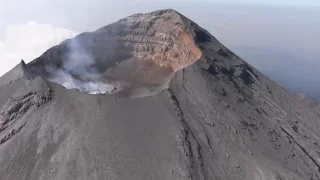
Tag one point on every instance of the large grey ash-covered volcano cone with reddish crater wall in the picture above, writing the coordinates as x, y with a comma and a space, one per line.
211, 115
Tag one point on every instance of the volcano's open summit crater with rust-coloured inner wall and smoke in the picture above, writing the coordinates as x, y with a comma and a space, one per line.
136, 56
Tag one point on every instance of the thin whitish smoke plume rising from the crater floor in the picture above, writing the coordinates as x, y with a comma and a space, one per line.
79, 71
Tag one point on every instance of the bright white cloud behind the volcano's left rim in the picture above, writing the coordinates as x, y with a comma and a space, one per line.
28, 41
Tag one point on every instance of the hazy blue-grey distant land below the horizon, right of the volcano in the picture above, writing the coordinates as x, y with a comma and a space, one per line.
295, 73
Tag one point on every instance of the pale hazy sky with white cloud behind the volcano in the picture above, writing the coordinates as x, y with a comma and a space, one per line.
291, 27
